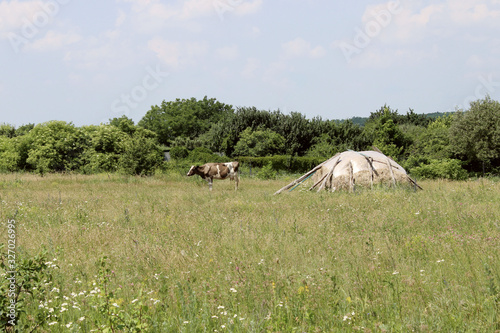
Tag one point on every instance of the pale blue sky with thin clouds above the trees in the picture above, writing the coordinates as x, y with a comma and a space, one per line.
88, 61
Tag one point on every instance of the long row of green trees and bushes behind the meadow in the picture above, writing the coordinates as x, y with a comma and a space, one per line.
451, 146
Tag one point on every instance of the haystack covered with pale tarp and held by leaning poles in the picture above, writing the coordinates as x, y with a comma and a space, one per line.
351, 168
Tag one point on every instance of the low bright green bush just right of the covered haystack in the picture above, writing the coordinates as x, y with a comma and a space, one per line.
446, 169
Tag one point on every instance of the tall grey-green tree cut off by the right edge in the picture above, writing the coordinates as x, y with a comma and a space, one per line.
475, 134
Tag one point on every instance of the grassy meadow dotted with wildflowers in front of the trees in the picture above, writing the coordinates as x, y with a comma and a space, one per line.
162, 254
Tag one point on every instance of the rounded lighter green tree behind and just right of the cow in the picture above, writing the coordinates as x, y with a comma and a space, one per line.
263, 142
